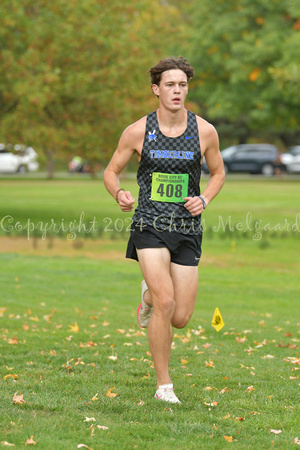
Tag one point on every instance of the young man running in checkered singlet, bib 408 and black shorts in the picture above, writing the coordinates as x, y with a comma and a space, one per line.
166, 226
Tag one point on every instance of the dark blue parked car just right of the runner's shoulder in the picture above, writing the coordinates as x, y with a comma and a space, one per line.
253, 158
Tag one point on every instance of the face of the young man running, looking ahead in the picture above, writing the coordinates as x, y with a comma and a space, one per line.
173, 89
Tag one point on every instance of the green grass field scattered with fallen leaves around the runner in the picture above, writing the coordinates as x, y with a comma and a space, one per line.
75, 367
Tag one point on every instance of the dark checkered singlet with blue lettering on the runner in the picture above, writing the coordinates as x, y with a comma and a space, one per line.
169, 155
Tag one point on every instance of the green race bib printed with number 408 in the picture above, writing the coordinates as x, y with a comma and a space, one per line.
168, 187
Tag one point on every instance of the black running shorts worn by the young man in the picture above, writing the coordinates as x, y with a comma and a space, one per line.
184, 249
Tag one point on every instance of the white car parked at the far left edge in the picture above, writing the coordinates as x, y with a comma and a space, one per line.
17, 159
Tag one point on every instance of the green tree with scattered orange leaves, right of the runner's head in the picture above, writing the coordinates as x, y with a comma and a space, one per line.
246, 55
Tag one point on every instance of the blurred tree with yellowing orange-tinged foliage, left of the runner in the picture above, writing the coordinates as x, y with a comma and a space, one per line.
74, 73
